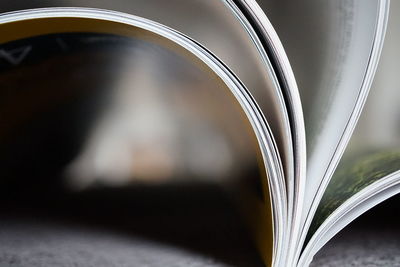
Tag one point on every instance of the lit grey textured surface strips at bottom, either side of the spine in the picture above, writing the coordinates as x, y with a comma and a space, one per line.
26, 243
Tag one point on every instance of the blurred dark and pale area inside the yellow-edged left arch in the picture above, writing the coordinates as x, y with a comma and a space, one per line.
107, 110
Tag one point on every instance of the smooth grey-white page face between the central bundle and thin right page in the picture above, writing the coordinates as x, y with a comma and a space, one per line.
328, 44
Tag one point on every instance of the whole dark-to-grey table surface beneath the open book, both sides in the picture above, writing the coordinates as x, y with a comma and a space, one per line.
168, 226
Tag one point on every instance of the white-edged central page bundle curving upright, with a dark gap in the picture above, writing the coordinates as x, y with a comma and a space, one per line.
273, 53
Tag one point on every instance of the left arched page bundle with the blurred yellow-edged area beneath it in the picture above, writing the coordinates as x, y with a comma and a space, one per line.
93, 98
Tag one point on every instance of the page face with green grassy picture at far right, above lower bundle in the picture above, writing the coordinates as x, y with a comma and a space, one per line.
374, 149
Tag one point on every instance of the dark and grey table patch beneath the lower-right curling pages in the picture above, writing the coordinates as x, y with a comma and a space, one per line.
370, 241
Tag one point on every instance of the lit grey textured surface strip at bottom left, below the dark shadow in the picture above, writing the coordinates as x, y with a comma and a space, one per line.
34, 244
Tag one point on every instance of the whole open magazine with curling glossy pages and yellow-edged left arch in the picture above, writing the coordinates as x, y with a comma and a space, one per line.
267, 98
